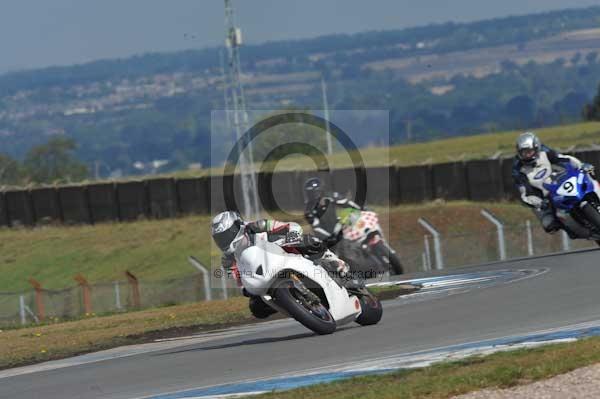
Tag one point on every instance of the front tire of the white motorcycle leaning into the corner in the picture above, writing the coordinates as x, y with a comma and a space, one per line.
321, 324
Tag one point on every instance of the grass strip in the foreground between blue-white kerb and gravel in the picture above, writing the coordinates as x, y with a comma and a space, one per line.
444, 380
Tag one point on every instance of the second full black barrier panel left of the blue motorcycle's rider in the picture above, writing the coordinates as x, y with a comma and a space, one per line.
450, 181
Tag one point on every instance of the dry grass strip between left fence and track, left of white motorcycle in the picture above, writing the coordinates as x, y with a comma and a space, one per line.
55, 341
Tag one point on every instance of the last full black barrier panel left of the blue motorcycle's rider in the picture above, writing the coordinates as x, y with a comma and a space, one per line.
484, 180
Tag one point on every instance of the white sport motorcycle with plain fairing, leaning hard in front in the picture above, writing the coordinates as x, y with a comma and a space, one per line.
293, 285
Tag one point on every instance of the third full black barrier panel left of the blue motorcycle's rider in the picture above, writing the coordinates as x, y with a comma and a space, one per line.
415, 184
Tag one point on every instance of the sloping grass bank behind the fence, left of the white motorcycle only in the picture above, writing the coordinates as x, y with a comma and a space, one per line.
151, 250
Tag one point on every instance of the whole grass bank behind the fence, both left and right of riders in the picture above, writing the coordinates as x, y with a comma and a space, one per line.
157, 250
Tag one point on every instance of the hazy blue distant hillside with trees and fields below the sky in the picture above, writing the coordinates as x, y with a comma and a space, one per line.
443, 79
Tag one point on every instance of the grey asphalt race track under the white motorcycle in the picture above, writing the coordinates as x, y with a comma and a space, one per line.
564, 291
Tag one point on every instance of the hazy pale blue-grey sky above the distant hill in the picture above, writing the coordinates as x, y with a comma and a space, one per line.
36, 33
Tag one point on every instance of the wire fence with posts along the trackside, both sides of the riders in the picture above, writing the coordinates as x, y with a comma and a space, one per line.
418, 255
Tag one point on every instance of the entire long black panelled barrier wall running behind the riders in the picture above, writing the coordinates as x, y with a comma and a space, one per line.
481, 180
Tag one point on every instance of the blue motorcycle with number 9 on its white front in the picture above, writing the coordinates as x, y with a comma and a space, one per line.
575, 195
